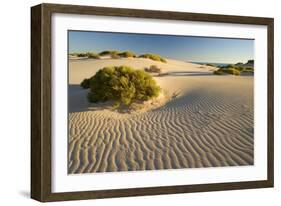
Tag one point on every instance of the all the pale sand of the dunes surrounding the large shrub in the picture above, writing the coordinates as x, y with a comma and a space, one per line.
206, 122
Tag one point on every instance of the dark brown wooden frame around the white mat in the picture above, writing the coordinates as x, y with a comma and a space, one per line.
41, 156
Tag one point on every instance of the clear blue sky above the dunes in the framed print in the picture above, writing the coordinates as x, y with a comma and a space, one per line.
186, 48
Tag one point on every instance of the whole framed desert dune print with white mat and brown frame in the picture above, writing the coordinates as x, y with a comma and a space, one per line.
130, 102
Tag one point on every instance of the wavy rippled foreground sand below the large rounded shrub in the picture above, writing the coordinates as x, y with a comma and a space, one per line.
198, 129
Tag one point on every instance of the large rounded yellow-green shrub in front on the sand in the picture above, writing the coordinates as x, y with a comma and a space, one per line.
121, 84
